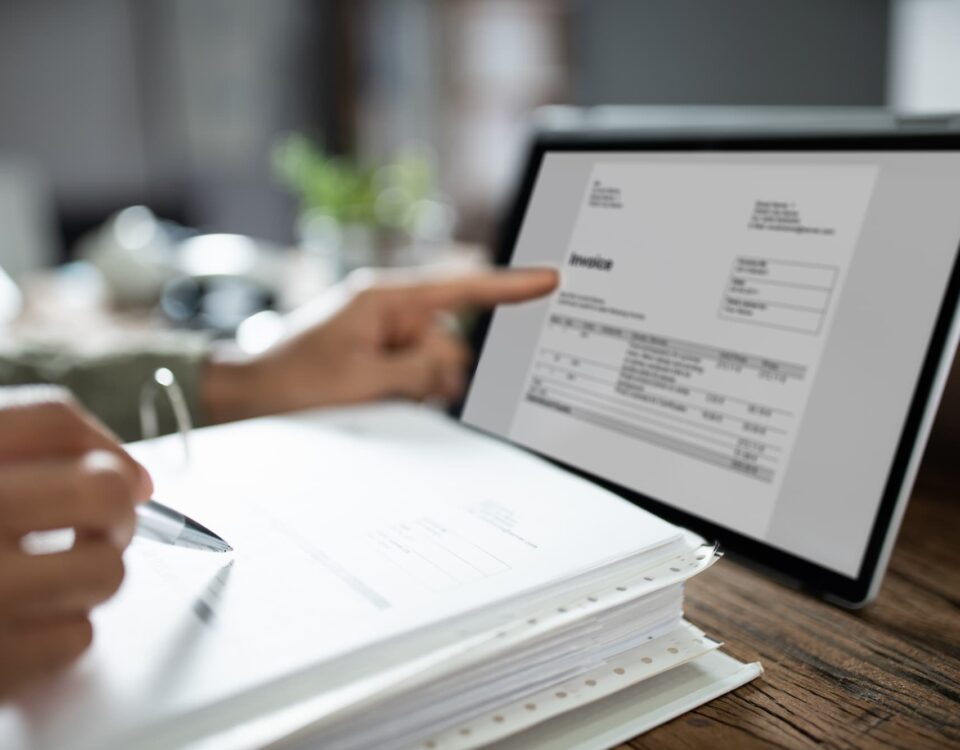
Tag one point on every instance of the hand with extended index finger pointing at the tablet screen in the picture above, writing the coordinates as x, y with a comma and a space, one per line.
383, 338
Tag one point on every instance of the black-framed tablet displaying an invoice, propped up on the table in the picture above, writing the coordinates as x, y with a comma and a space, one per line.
750, 336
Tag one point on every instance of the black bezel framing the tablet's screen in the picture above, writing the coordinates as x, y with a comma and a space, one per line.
823, 581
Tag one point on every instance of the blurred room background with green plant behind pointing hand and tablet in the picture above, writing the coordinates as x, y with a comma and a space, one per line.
209, 159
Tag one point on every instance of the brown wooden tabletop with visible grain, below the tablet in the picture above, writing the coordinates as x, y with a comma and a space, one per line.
884, 676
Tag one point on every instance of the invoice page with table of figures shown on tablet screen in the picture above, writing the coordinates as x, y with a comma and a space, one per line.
695, 304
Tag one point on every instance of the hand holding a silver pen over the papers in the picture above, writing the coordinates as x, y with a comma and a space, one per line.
59, 468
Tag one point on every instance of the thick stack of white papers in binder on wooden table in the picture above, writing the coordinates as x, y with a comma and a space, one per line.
397, 581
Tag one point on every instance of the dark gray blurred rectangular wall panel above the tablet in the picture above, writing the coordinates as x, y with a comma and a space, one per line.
803, 52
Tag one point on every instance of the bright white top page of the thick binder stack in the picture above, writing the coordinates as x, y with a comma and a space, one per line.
349, 529
